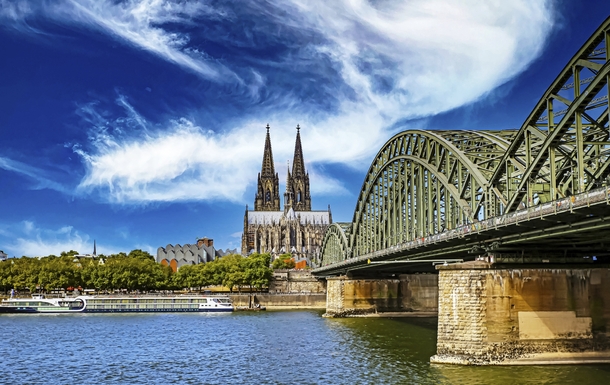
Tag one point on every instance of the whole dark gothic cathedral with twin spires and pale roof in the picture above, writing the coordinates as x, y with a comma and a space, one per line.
295, 230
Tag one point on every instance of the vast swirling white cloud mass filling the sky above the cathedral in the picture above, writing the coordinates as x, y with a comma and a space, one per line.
375, 65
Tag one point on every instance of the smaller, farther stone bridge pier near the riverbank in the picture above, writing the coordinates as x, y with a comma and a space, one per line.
407, 294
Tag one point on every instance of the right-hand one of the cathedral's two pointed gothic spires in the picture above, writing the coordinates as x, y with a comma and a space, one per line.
297, 194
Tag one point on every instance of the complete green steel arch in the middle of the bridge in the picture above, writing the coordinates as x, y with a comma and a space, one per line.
423, 183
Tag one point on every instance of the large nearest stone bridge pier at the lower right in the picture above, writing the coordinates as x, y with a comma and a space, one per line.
493, 315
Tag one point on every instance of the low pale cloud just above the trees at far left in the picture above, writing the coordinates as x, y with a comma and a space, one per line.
27, 238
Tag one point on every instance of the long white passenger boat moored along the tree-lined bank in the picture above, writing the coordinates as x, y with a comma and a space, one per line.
117, 304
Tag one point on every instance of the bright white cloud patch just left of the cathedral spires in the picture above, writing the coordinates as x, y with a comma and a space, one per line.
181, 162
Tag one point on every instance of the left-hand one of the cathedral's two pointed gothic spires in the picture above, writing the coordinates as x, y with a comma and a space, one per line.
268, 193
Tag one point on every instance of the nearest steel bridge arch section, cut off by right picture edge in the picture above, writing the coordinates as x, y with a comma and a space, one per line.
564, 146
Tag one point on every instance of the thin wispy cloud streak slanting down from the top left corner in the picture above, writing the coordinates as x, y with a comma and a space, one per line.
145, 24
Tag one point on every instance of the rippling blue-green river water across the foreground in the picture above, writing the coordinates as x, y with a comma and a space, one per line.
287, 347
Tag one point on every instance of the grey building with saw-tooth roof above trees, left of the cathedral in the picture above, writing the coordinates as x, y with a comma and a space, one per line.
201, 252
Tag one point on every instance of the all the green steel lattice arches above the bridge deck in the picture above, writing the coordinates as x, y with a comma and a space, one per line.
423, 183
